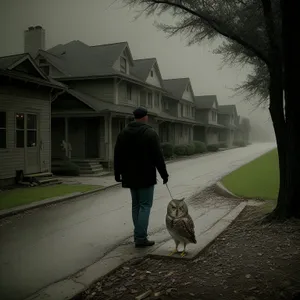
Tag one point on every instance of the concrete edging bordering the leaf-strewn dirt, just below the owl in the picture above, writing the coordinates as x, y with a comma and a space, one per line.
73, 286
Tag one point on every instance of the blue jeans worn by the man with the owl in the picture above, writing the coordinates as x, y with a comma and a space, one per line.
142, 200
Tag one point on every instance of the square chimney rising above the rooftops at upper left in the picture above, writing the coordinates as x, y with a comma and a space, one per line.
34, 39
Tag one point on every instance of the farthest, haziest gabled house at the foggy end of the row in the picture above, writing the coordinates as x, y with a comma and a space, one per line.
227, 116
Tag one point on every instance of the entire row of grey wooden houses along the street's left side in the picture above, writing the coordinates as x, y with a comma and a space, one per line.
73, 99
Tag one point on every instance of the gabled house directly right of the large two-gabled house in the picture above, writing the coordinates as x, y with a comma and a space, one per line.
177, 118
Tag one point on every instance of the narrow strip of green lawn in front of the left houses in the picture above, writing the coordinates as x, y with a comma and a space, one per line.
22, 196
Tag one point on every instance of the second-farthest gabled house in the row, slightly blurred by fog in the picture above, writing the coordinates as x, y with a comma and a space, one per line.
207, 112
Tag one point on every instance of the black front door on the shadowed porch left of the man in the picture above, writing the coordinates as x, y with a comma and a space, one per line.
91, 138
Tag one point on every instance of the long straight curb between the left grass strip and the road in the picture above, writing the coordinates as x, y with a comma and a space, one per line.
13, 211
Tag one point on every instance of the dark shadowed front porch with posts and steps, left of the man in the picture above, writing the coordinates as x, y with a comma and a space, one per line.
87, 141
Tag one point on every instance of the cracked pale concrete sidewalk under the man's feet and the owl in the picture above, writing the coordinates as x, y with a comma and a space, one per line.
211, 217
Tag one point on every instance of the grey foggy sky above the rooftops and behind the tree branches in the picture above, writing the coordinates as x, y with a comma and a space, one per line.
107, 21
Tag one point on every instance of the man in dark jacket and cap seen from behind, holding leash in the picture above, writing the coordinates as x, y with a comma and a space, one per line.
137, 156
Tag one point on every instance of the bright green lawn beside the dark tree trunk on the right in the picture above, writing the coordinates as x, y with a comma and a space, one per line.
257, 179
